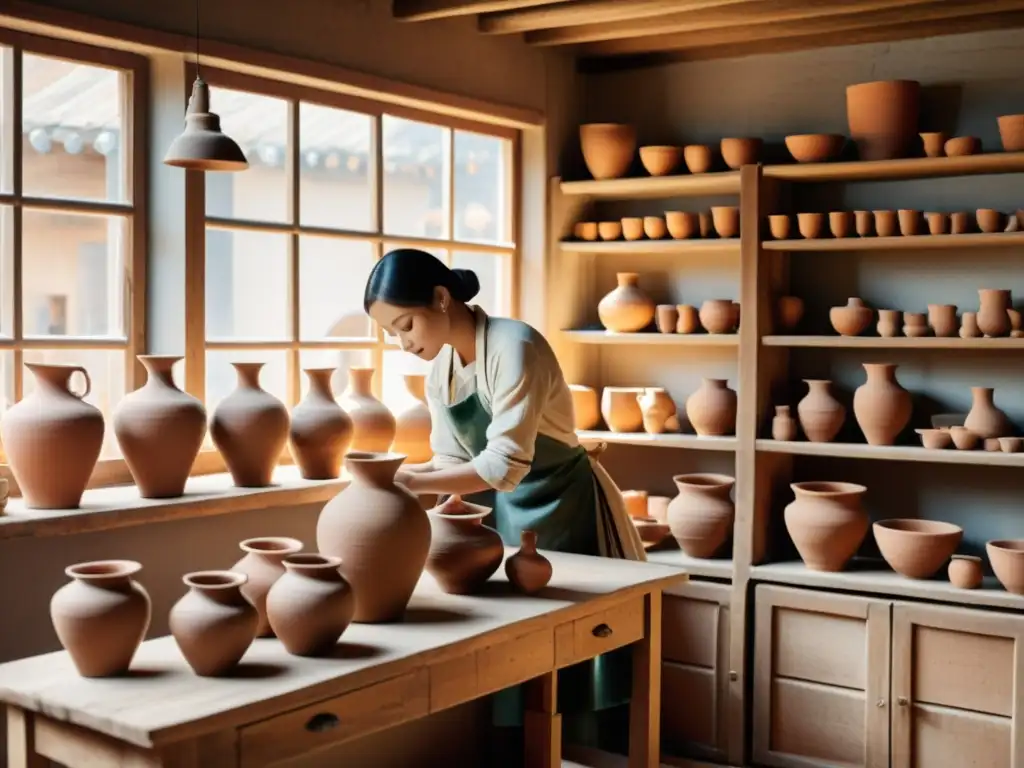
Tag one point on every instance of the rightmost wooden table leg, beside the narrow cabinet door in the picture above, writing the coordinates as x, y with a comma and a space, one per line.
646, 706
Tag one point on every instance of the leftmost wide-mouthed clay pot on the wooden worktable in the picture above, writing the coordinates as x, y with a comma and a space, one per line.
102, 616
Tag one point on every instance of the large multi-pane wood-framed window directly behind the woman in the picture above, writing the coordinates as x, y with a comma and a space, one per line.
335, 183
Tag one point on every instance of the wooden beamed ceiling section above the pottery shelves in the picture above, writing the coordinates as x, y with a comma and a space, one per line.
613, 34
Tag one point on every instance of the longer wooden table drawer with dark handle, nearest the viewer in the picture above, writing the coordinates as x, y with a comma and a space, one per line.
336, 720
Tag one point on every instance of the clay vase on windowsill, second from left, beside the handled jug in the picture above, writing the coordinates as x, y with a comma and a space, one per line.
160, 431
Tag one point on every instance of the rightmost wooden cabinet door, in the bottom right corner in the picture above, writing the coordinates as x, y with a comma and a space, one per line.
958, 686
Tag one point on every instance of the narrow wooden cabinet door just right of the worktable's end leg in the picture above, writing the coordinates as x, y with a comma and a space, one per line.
695, 670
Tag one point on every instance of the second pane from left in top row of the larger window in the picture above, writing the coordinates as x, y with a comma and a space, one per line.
336, 190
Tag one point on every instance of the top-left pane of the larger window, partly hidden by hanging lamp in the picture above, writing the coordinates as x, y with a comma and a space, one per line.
260, 124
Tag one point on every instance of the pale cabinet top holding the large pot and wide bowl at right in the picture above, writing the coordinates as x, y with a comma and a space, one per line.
875, 578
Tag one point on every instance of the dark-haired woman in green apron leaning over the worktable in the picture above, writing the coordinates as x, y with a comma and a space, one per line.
502, 422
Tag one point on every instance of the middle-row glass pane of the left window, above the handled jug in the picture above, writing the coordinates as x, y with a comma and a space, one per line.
73, 274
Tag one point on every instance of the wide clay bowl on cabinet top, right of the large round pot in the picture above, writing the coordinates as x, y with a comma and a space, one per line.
917, 549
